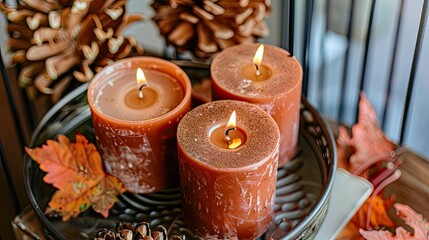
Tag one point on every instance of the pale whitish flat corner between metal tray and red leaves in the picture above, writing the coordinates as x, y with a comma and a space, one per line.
348, 194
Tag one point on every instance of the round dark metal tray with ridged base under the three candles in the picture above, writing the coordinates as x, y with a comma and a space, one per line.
308, 176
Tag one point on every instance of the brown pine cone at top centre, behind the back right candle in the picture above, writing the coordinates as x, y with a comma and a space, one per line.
207, 26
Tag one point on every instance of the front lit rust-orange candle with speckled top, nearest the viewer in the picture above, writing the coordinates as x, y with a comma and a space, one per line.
228, 185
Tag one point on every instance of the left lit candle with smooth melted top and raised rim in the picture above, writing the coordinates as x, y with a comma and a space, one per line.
136, 130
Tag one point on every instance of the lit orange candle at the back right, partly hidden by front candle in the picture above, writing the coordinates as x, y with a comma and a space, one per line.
273, 83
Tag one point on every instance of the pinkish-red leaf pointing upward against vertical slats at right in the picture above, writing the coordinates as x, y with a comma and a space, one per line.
369, 142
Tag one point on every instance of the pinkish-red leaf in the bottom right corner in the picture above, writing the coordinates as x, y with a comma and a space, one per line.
411, 218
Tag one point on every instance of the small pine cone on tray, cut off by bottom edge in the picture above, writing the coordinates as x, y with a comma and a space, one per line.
142, 231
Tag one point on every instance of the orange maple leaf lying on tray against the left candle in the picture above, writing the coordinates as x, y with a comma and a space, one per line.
76, 170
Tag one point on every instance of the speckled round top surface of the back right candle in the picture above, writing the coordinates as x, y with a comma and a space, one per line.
232, 70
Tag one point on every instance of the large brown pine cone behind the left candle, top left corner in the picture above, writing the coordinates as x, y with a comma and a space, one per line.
57, 41
